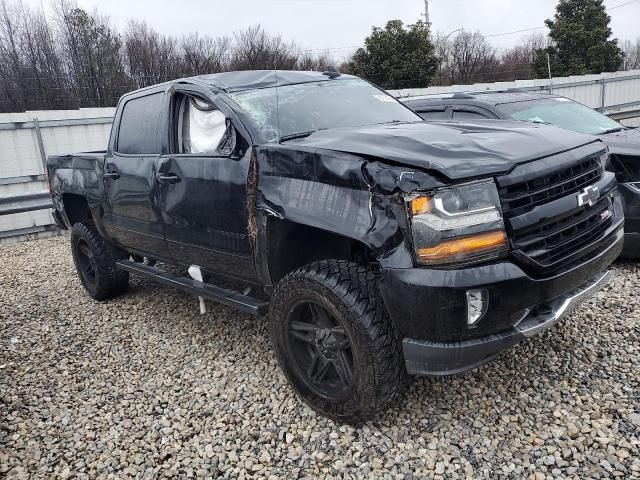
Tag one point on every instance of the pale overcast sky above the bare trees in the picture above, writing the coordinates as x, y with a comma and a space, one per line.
335, 24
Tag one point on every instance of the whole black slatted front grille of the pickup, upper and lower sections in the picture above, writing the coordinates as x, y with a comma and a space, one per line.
560, 237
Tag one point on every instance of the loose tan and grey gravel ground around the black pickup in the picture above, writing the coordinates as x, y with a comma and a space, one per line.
143, 386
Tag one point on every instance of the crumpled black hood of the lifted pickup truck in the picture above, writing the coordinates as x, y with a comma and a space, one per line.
454, 149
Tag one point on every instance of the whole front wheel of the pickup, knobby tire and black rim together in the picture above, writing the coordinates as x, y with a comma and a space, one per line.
335, 341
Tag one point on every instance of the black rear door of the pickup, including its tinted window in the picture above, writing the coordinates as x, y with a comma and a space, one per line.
133, 217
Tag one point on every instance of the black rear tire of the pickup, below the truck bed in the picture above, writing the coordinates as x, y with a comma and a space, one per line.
108, 281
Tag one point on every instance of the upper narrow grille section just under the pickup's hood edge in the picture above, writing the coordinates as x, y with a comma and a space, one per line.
523, 197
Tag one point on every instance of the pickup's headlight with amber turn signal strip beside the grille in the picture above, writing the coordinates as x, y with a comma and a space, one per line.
458, 225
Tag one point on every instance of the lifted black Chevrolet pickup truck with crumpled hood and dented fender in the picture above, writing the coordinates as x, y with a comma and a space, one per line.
379, 244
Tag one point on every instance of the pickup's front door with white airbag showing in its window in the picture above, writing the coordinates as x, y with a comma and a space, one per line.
203, 191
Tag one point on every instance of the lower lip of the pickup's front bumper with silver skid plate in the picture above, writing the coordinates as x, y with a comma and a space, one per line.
432, 358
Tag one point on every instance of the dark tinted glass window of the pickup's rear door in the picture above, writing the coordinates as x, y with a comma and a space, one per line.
138, 132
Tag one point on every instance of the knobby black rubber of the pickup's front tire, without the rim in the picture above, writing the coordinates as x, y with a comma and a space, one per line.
350, 293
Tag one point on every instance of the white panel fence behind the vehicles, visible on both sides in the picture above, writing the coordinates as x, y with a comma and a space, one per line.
26, 138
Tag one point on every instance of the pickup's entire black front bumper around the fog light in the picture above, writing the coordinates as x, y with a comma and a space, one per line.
429, 307
